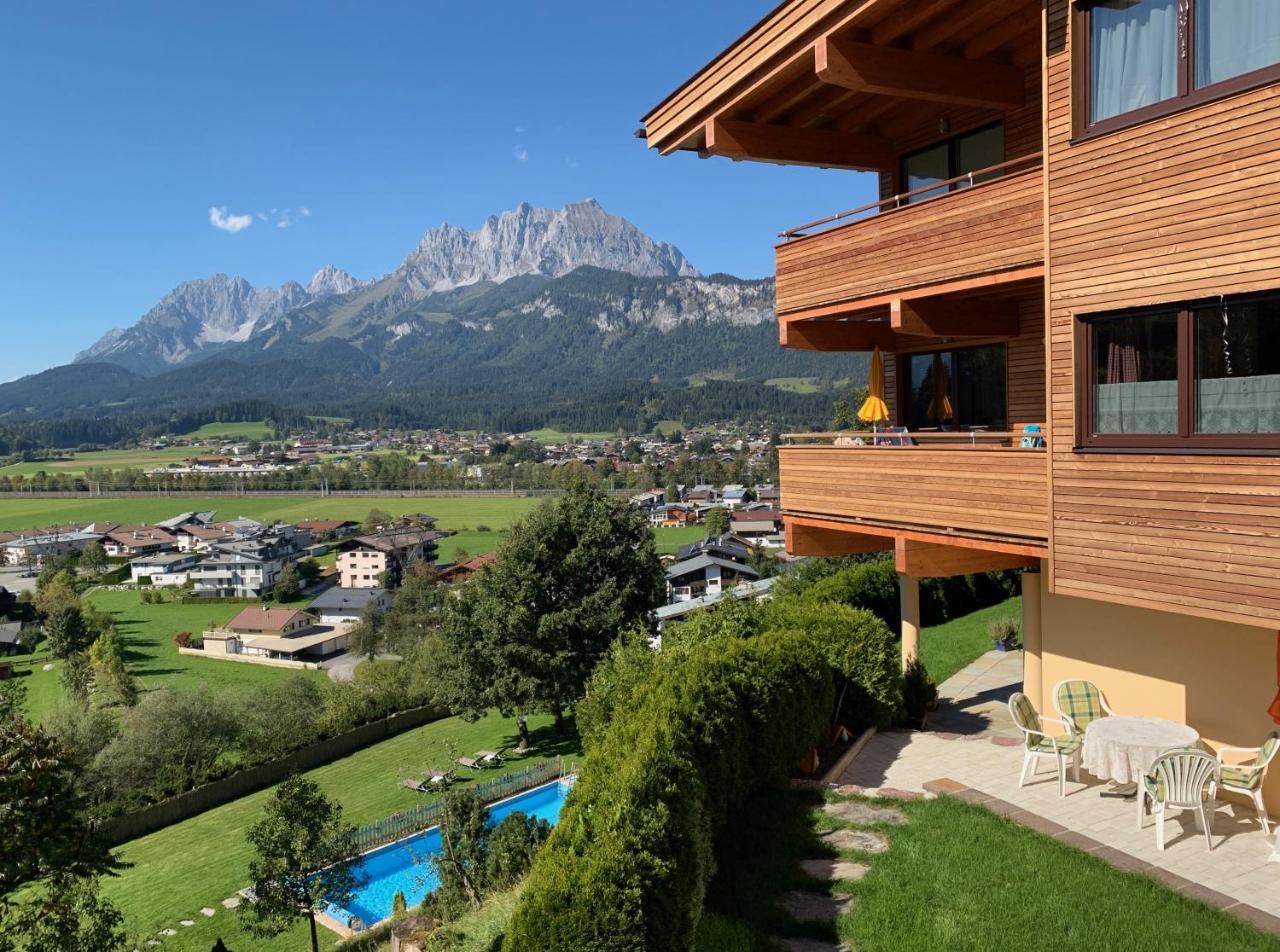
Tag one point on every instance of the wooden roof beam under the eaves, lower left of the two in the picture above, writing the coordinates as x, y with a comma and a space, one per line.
785, 145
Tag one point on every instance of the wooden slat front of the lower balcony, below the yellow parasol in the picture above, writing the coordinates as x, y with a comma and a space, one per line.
984, 491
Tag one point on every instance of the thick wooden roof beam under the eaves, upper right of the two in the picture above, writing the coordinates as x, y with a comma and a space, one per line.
922, 76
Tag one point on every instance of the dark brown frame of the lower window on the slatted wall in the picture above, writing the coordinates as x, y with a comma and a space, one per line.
1186, 440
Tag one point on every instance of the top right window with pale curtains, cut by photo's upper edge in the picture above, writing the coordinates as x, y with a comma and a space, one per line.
1146, 58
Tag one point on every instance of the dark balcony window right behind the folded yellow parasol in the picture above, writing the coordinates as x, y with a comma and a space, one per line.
958, 390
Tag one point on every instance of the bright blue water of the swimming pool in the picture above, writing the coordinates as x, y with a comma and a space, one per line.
405, 867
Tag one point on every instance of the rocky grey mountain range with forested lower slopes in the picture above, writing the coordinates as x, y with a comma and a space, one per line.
554, 305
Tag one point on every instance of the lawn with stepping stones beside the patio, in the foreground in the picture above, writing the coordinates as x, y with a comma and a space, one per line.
957, 878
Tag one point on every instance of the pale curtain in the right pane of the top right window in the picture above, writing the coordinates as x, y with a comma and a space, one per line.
1235, 38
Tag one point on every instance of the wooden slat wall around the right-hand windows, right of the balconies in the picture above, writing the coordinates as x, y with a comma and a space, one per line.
1182, 208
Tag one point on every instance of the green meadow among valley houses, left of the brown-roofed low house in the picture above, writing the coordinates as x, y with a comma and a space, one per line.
148, 633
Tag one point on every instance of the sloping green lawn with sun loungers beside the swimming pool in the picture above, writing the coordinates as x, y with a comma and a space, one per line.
200, 862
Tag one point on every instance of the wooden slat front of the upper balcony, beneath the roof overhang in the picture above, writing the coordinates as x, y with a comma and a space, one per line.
996, 227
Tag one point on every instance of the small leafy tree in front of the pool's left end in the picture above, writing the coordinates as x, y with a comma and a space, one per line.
304, 852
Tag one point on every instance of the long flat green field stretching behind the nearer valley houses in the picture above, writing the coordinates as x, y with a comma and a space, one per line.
454, 512
